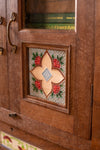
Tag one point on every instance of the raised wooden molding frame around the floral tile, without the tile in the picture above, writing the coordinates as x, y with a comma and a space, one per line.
25, 62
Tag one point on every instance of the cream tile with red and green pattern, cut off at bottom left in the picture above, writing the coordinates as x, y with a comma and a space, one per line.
13, 143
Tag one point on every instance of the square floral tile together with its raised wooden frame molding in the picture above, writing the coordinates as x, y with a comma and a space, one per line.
46, 75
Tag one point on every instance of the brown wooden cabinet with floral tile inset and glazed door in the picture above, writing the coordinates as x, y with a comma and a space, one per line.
46, 83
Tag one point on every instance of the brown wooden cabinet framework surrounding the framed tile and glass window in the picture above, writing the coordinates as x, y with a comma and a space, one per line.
71, 131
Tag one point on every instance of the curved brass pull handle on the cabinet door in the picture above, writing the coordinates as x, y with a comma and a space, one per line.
13, 19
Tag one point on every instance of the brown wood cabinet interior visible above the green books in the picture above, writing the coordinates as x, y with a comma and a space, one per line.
46, 6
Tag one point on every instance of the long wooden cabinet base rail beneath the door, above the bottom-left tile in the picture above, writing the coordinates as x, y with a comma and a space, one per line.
33, 127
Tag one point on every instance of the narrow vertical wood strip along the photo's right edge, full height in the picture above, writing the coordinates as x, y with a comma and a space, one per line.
96, 98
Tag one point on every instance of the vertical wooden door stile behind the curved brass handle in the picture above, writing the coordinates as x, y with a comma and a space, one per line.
14, 59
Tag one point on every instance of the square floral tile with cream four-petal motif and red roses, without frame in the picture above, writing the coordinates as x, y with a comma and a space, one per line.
47, 72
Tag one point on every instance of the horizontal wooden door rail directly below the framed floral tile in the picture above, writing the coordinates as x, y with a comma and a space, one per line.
51, 117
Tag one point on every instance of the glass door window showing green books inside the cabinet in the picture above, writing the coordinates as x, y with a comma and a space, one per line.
50, 14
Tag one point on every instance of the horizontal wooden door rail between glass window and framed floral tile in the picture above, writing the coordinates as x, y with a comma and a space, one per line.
47, 37
